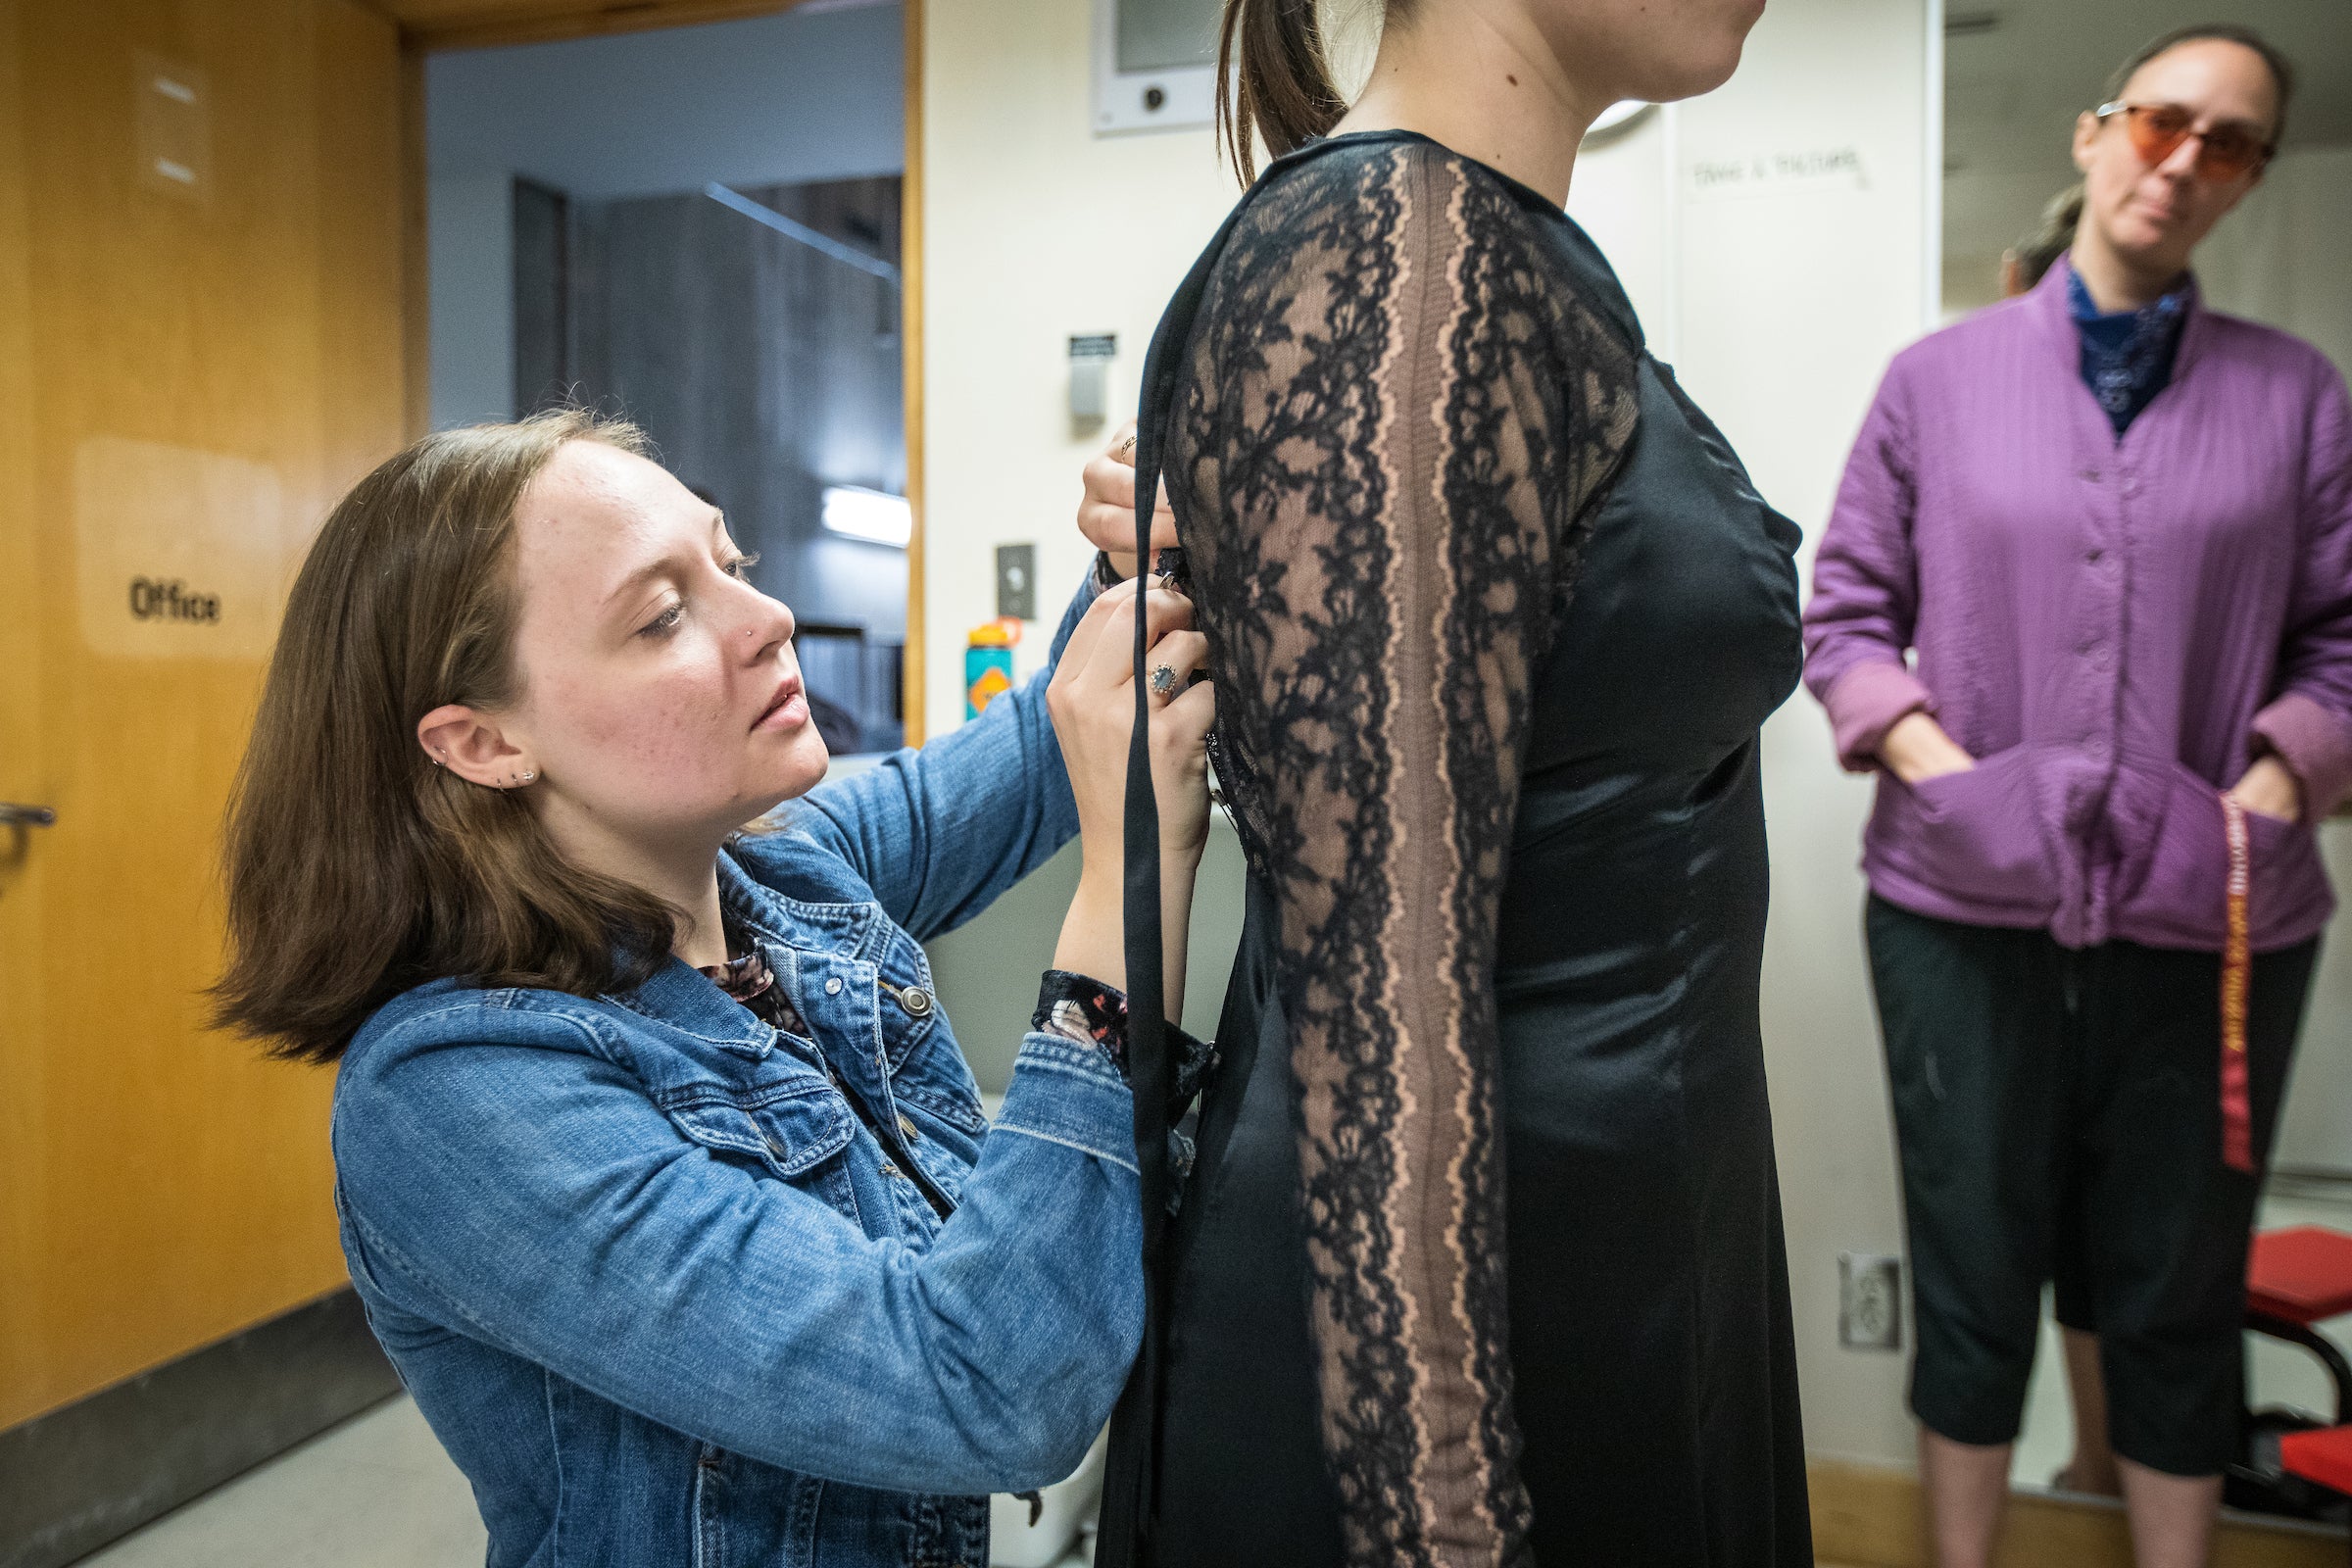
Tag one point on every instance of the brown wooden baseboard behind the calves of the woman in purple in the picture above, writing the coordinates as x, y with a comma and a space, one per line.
1871, 1517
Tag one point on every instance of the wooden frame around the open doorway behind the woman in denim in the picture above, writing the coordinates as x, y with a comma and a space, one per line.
592, 20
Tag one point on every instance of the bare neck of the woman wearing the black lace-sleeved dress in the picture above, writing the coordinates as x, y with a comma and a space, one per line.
1485, 86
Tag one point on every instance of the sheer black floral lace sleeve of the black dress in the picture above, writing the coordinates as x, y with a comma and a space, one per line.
1391, 427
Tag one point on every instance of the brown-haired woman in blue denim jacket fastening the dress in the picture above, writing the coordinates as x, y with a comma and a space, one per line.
660, 1170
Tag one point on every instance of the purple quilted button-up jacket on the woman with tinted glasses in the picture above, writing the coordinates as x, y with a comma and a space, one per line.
2113, 626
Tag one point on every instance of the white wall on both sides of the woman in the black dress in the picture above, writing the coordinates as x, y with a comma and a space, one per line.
1779, 304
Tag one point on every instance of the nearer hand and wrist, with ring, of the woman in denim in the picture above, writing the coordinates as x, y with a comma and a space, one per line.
1095, 706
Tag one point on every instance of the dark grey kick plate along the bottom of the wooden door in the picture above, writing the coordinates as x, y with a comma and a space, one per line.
105, 1466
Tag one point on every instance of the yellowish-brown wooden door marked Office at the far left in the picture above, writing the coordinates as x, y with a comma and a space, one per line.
201, 349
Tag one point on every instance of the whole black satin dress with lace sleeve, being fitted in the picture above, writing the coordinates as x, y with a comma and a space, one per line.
1481, 1259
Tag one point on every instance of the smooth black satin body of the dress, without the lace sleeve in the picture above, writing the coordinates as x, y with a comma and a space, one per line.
1648, 1282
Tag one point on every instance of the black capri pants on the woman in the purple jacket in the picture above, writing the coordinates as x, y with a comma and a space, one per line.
2059, 1118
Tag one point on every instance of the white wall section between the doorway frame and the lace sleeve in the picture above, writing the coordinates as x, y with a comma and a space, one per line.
1034, 232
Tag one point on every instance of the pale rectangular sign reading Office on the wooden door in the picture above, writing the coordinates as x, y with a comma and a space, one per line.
178, 554
